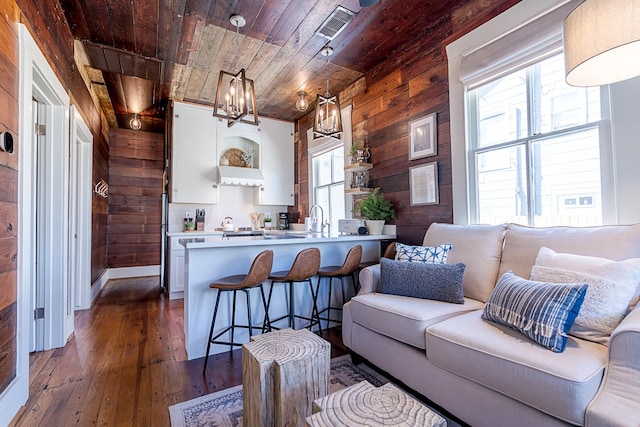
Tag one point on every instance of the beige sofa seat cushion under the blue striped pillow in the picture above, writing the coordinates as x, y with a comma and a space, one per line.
502, 359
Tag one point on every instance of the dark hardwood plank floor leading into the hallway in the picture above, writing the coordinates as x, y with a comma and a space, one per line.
126, 363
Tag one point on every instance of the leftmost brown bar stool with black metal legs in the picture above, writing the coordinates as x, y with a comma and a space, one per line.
258, 273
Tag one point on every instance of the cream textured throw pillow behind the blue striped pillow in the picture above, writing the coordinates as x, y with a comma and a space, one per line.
624, 275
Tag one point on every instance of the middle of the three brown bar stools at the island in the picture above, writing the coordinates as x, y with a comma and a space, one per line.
304, 267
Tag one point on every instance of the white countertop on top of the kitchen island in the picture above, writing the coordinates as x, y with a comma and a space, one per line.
276, 238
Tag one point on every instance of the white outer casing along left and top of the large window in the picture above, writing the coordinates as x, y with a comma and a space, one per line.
512, 19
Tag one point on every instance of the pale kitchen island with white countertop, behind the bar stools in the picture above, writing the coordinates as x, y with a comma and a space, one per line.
210, 258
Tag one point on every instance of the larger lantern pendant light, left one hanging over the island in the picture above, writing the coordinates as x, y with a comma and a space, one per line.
238, 103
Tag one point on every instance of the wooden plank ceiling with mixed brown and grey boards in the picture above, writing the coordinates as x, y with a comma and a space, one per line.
152, 51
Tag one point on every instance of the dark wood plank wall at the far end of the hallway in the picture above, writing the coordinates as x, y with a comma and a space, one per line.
135, 190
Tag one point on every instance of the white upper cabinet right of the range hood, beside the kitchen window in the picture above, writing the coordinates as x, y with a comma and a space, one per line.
277, 163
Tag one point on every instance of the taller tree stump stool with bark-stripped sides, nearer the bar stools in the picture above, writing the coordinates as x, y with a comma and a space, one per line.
283, 372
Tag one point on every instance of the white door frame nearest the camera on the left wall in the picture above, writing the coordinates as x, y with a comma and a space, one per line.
35, 70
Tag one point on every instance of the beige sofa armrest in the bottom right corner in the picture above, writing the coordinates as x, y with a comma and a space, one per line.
616, 403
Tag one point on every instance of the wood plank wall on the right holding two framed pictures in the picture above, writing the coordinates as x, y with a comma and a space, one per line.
412, 83
